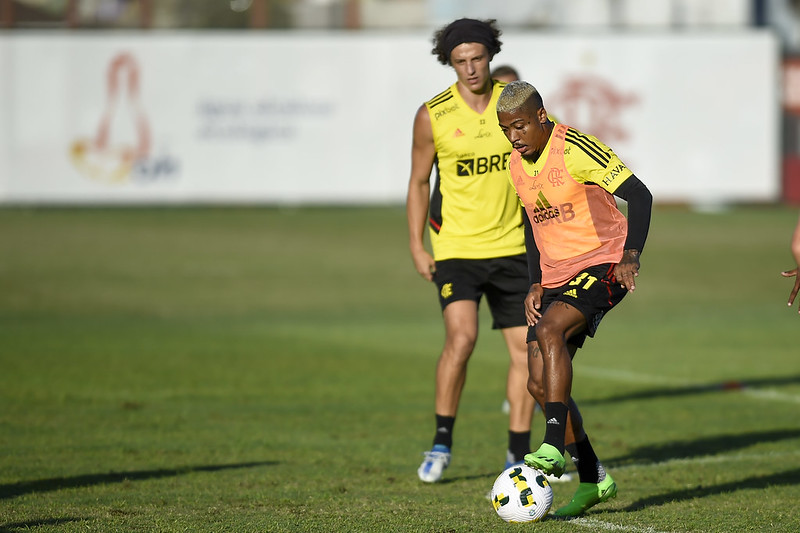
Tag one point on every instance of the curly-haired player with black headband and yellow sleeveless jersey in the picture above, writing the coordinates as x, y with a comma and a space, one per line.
475, 225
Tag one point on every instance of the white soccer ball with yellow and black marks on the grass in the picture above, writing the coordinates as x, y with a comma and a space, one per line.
521, 494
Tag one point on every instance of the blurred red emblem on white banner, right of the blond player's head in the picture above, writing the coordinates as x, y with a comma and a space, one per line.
593, 105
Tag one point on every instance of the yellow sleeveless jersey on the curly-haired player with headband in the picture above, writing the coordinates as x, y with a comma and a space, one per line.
475, 213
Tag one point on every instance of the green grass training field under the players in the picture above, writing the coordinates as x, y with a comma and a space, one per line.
251, 370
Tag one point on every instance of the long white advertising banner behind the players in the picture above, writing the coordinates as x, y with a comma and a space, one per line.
312, 117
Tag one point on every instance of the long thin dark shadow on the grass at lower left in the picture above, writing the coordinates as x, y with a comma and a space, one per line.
12, 490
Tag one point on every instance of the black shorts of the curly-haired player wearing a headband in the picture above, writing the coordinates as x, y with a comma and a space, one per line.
504, 280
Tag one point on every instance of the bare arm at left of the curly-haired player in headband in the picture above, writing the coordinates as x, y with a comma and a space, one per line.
423, 152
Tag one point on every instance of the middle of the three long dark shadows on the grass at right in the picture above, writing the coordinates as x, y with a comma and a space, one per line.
715, 445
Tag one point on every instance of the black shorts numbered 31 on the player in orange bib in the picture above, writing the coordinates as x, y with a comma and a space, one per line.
593, 292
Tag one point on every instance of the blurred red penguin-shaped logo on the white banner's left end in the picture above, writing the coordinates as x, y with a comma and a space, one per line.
112, 153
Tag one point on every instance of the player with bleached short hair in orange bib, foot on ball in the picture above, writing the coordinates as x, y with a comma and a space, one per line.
583, 257
